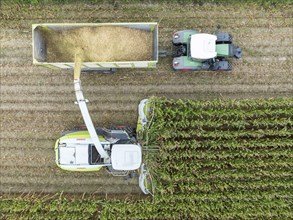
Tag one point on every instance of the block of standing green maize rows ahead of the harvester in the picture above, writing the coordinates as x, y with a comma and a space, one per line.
217, 159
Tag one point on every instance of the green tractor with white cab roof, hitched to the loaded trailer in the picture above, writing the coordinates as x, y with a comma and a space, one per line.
199, 51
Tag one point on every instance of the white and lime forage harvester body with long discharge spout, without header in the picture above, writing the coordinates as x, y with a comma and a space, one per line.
92, 149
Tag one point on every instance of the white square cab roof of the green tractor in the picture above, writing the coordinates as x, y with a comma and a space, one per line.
203, 46
